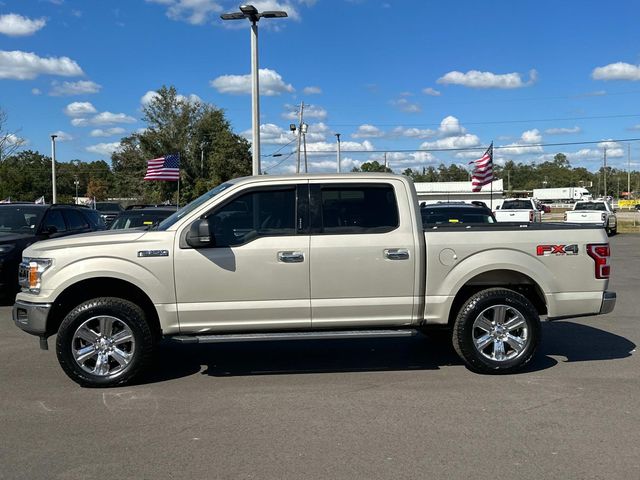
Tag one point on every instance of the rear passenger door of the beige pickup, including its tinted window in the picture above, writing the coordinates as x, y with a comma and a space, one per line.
363, 255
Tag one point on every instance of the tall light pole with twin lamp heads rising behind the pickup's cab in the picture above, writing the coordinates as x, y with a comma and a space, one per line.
251, 13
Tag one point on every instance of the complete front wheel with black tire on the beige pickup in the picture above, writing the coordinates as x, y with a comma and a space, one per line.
115, 358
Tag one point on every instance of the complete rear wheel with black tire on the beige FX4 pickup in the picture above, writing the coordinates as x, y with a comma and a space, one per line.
519, 325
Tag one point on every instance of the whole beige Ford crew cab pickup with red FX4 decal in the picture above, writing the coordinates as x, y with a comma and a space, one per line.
306, 256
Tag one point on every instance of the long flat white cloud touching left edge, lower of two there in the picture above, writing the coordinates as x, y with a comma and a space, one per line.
18, 65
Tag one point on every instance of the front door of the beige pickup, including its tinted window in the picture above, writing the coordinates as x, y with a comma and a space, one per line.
256, 275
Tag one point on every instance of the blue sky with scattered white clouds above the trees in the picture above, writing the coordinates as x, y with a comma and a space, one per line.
390, 76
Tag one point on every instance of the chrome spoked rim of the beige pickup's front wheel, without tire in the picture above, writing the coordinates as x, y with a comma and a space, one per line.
103, 345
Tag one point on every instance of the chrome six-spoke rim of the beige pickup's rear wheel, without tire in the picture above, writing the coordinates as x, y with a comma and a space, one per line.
500, 333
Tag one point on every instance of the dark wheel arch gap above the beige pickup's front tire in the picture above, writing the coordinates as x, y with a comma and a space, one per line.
86, 289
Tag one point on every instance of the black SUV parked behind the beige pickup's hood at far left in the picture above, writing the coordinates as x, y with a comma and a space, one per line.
22, 224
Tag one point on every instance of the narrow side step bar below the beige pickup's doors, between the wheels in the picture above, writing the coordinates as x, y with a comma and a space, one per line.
320, 335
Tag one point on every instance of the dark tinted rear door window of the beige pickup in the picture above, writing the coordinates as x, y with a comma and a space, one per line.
358, 209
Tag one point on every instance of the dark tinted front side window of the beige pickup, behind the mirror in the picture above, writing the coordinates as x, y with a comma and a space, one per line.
254, 214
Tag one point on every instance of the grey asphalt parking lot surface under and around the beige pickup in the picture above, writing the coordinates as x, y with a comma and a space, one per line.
393, 409
